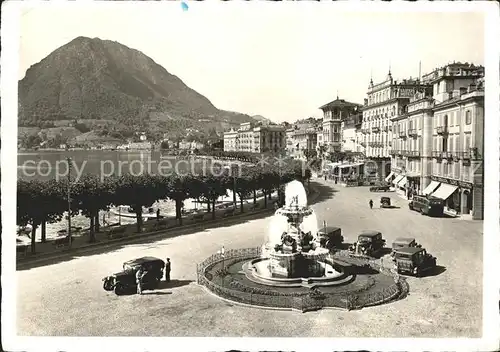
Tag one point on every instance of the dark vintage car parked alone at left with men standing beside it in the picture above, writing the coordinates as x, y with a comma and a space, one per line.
125, 282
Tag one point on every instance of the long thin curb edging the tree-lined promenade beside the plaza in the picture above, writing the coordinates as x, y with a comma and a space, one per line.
128, 240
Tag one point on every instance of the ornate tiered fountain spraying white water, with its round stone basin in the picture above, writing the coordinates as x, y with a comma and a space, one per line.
292, 254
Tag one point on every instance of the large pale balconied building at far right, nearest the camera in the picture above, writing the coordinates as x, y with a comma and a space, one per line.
438, 140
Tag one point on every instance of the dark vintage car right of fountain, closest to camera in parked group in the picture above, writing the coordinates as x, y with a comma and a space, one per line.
413, 260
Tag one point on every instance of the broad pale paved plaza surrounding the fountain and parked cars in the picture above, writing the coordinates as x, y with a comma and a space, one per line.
67, 298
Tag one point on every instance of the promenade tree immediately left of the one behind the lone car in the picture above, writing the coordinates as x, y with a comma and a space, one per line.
91, 195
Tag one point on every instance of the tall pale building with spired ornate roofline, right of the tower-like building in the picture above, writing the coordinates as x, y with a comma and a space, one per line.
385, 100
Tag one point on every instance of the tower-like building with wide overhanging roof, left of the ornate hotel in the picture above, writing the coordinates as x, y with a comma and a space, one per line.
333, 114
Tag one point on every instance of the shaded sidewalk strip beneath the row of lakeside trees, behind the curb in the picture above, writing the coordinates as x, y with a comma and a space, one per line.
47, 251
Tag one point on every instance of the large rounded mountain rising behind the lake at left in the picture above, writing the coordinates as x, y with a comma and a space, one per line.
108, 86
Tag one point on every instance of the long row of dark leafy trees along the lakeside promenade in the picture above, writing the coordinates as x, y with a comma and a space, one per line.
41, 202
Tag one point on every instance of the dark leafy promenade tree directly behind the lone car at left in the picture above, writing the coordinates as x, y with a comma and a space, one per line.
138, 192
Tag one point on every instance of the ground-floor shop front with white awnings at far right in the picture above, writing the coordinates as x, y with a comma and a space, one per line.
457, 195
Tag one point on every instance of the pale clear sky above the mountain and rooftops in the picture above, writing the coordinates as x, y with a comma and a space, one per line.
279, 60
